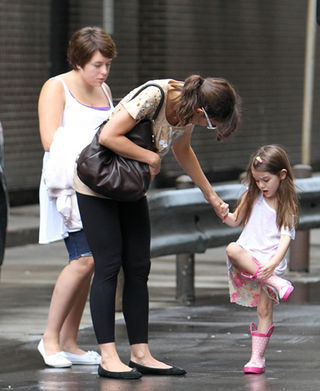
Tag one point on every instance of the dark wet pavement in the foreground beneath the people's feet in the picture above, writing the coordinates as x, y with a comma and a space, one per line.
210, 341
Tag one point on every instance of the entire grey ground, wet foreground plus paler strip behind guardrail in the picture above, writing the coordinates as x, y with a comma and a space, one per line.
209, 339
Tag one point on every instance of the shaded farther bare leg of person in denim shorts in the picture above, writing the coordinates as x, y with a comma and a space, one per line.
70, 327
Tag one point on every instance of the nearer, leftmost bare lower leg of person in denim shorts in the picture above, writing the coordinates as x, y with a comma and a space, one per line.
65, 292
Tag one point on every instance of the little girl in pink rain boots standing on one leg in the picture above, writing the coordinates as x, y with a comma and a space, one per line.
256, 262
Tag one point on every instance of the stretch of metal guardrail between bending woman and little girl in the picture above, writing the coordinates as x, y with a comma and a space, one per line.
182, 221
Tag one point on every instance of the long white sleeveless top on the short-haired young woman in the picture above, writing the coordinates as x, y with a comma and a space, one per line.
82, 120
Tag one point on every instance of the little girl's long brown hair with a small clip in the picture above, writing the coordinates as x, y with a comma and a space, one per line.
273, 159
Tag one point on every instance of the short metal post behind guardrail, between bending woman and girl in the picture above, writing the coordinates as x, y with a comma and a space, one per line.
185, 293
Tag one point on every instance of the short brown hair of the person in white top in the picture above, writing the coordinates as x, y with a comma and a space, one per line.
85, 42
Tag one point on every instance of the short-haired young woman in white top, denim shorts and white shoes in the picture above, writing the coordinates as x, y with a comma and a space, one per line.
71, 106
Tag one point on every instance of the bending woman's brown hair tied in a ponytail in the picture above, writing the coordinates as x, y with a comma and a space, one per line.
216, 96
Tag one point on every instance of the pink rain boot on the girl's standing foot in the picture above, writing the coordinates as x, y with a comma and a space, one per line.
259, 345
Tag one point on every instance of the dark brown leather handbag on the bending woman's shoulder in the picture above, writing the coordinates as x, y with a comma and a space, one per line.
115, 176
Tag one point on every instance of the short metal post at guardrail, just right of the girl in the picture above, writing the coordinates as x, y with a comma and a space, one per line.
299, 248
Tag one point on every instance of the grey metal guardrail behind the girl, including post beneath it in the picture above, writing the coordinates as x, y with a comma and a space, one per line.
183, 222
